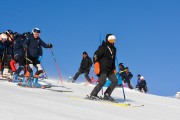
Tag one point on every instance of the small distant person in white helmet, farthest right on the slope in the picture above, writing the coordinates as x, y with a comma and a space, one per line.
142, 85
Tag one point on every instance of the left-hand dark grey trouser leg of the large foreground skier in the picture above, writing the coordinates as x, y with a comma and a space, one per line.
99, 86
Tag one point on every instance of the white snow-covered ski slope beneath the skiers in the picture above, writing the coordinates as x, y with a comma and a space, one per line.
18, 103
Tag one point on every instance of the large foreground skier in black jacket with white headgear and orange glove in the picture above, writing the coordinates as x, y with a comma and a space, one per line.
105, 55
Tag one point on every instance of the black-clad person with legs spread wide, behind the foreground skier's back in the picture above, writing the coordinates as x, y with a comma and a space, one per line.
85, 67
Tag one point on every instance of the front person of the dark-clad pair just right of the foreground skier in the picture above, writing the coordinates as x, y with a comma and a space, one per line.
127, 77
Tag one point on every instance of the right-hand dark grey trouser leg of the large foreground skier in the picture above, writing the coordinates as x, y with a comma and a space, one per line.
114, 80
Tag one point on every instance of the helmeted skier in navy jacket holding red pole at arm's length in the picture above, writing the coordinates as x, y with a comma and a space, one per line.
31, 45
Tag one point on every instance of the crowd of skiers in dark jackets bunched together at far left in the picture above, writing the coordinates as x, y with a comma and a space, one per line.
24, 49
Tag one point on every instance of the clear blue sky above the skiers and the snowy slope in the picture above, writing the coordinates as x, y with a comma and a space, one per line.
147, 34
